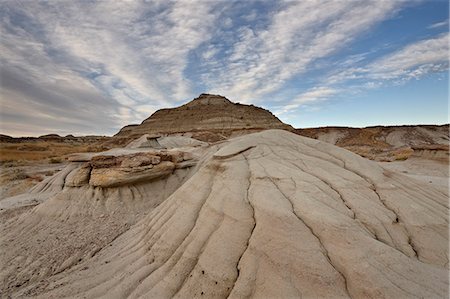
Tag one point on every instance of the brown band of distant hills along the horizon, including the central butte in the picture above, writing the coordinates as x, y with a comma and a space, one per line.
214, 118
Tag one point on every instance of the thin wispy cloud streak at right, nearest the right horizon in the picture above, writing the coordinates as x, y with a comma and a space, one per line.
355, 74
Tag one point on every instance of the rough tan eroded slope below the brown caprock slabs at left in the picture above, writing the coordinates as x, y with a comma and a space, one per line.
66, 227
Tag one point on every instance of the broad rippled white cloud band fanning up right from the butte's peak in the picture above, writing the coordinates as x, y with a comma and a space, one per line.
263, 60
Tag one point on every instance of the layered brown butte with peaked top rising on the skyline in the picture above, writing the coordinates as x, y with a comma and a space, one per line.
207, 113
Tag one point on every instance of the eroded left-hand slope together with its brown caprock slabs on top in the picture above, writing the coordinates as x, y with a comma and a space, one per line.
71, 216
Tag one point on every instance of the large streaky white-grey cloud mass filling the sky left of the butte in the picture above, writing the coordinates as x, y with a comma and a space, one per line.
127, 55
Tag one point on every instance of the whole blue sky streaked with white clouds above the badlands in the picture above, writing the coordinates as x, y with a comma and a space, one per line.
91, 67
